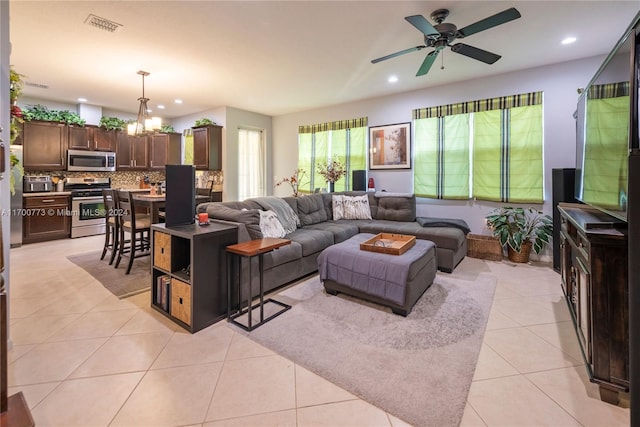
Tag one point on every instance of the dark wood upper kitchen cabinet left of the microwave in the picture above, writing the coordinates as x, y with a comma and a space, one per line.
44, 145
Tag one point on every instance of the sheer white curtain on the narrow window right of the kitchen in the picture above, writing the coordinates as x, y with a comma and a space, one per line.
251, 164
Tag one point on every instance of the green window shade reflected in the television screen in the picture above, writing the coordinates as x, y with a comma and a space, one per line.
606, 150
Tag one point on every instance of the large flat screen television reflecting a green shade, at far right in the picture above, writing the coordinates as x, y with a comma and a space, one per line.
604, 129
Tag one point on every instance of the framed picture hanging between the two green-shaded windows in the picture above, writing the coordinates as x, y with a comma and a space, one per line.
390, 146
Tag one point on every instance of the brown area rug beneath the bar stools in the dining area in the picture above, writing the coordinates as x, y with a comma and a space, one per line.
120, 284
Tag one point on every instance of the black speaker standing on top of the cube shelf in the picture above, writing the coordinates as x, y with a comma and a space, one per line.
181, 195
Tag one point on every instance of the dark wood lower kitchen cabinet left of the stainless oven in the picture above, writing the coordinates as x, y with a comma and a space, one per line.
46, 218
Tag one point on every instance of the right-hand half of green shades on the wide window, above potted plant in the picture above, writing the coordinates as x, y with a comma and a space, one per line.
507, 155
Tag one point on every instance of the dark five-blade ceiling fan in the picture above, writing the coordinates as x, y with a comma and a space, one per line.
442, 34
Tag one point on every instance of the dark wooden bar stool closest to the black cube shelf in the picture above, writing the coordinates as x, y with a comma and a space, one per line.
138, 225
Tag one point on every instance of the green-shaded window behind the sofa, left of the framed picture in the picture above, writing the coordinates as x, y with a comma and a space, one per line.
343, 140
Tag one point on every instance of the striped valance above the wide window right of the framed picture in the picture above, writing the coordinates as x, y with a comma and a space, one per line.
501, 103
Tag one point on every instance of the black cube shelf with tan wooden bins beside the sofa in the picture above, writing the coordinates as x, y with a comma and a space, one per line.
189, 272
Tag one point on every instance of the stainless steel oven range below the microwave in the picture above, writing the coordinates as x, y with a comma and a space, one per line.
87, 205
